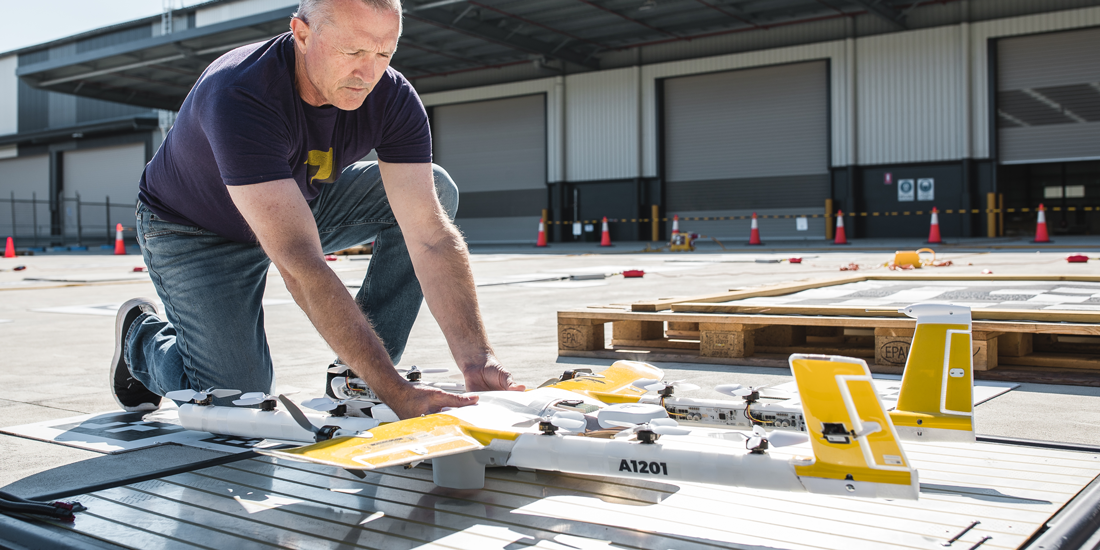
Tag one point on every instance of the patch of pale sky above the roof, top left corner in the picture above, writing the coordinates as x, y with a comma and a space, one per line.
32, 23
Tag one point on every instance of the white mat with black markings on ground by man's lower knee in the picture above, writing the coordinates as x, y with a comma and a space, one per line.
118, 432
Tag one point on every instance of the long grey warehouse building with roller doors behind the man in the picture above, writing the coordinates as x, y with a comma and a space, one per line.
609, 108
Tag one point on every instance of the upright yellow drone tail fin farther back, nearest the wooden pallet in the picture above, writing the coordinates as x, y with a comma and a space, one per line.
937, 399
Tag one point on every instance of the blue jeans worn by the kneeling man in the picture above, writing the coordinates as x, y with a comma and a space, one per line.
212, 289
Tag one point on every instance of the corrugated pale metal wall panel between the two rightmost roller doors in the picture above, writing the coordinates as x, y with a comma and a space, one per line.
910, 97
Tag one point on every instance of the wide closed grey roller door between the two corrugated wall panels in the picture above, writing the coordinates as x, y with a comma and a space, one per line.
752, 140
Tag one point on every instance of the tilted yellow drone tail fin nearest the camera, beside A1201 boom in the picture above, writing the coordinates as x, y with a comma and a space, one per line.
856, 448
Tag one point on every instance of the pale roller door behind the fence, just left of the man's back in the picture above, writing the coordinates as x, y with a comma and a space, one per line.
97, 174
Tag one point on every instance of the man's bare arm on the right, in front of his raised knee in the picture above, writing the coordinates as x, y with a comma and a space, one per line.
443, 266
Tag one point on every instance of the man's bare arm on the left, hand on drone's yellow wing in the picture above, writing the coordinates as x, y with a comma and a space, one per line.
284, 225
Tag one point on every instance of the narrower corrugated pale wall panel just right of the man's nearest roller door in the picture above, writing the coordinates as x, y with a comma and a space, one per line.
602, 118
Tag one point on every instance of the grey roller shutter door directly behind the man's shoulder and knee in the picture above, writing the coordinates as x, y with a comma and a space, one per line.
497, 153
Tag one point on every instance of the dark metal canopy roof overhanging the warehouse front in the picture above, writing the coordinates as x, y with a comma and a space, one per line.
450, 37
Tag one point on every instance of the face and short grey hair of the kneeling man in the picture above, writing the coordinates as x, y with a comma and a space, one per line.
344, 57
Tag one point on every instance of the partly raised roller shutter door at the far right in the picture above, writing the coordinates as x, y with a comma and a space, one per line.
1048, 97
